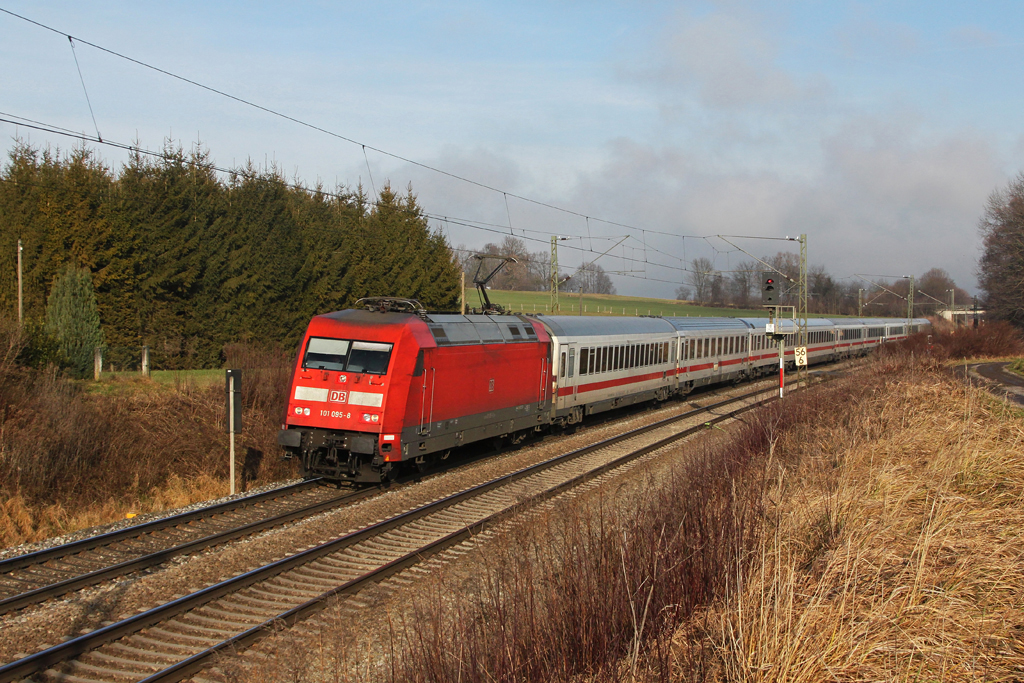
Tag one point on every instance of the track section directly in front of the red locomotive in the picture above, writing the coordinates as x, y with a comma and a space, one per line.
27, 580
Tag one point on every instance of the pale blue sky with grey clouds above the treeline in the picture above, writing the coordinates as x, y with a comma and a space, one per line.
877, 129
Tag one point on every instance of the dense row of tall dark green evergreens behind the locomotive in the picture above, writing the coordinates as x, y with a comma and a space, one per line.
186, 260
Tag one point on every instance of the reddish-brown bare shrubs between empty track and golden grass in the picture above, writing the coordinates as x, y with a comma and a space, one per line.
599, 590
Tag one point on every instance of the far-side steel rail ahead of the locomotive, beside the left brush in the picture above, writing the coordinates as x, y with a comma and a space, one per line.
40, 557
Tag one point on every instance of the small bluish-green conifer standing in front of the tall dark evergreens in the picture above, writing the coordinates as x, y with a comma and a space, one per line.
73, 318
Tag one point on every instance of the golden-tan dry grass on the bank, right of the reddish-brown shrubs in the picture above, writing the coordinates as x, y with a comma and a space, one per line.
895, 552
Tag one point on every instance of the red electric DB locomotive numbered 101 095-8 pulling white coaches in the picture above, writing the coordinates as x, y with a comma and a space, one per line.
378, 388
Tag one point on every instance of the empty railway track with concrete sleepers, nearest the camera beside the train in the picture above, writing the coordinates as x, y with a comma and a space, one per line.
178, 641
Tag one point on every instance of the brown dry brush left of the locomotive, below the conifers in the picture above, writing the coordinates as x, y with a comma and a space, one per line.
70, 459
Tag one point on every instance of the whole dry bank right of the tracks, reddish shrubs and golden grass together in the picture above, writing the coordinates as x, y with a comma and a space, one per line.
868, 530
